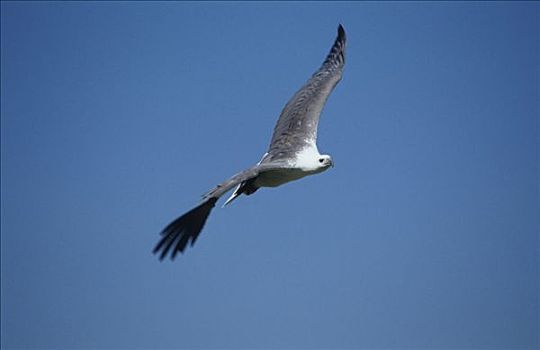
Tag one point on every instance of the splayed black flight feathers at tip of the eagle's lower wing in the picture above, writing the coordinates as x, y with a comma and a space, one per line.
184, 230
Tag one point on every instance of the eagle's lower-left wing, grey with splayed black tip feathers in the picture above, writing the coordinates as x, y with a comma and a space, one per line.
185, 229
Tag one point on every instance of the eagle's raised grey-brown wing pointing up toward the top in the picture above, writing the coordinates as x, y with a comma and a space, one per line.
297, 125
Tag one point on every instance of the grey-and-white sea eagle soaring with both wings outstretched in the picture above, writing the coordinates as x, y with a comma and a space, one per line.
292, 154
